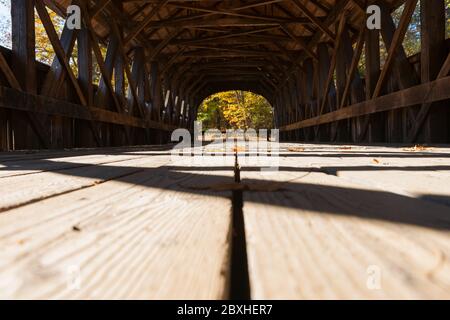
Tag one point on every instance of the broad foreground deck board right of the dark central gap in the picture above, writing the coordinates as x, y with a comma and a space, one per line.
319, 236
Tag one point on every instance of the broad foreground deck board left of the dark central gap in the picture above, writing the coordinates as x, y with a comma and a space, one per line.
147, 235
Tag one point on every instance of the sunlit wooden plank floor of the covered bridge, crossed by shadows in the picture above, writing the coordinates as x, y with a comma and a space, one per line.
334, 222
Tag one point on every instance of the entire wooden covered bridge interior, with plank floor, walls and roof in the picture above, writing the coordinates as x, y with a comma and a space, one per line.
113, 217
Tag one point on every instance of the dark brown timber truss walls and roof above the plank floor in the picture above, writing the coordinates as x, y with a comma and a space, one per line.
158, 59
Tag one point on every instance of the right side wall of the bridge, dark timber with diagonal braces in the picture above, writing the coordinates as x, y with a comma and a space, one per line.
403, 101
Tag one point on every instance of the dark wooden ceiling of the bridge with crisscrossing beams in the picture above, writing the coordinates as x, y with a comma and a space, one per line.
255, 42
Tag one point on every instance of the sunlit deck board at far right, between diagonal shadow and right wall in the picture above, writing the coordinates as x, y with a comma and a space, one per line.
424, 174
